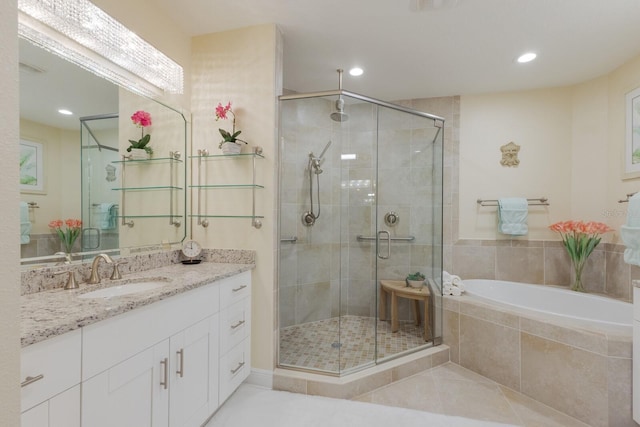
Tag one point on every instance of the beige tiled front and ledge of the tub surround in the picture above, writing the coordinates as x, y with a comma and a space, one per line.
582, 371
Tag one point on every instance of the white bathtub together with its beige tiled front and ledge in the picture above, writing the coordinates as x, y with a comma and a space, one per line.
569, 350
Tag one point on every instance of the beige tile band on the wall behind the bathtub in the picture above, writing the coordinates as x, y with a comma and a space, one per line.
544, 263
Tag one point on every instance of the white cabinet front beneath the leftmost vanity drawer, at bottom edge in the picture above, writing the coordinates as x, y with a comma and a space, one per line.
62, 410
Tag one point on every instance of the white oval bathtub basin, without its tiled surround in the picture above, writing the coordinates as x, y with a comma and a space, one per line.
564, 303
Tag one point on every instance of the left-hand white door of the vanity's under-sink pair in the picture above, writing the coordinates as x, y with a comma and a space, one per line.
133, 393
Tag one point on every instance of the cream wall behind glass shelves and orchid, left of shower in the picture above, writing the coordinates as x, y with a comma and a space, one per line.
241, 66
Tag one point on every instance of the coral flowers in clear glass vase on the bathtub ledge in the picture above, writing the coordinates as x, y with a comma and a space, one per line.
580, 238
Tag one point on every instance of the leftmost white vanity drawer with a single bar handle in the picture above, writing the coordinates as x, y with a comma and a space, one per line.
49, 367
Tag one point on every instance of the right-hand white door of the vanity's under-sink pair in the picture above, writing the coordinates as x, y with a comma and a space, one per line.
194, 354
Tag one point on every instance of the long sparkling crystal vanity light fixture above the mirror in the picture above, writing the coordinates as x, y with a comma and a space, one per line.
84, 34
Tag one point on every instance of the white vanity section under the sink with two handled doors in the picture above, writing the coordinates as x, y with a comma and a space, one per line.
157, 365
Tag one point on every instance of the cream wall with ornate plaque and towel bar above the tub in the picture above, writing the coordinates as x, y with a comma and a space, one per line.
540, 123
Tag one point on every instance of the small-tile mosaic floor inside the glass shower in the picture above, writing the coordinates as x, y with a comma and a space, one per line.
342, 343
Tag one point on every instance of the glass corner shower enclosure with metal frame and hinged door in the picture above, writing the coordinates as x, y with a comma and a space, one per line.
360, 202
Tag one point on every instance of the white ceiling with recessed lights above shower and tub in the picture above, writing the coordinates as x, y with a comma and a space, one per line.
426, 48
